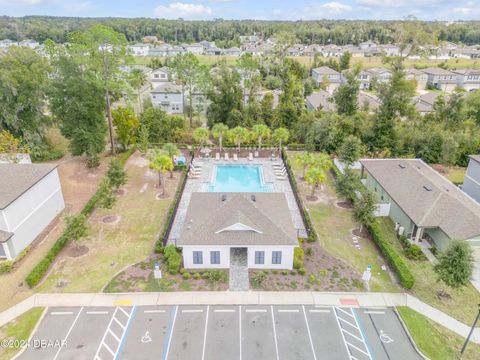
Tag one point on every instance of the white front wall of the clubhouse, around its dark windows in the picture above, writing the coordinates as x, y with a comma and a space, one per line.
287, 257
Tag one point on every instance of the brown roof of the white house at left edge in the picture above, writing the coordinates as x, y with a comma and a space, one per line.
16, 179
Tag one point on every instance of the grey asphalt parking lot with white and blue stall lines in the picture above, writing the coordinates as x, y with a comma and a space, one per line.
220, 332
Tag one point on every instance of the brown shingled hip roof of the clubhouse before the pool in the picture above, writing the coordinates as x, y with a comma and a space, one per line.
238, 219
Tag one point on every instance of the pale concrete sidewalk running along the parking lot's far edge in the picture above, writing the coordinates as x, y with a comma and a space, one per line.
242, 298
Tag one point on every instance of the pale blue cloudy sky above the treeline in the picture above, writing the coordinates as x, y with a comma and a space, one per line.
250, 9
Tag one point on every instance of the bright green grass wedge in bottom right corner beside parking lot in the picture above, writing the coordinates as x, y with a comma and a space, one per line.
435, 341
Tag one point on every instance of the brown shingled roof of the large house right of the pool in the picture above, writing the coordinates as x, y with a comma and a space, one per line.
426, 197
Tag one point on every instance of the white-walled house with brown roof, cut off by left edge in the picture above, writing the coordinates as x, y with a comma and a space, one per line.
30, 199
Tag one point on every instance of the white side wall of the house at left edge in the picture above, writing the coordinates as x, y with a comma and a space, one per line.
32, 212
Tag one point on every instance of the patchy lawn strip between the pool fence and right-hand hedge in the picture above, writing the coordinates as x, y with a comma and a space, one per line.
333, 226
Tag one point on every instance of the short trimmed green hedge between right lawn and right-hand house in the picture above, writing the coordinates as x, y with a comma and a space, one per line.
393, 258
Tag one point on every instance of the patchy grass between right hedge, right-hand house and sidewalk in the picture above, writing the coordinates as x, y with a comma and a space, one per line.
461, 303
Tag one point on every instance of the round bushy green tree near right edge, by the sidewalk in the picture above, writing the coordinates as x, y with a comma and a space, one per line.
455, 264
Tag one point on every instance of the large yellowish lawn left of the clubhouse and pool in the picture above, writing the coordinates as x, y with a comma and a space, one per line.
111, 247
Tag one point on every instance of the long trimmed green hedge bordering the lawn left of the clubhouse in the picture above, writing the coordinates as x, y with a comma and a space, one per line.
39, 271
